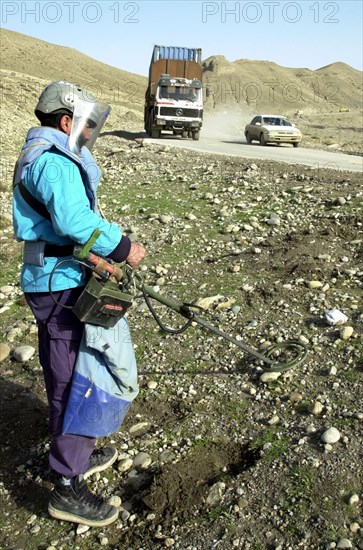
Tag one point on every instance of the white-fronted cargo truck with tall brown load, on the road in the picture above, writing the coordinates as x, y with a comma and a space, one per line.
174, 96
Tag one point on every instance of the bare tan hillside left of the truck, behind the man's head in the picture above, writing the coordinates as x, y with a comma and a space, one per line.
24, 75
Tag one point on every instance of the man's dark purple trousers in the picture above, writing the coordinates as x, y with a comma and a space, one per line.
59, 338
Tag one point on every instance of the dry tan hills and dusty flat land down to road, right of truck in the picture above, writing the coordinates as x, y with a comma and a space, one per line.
326, 104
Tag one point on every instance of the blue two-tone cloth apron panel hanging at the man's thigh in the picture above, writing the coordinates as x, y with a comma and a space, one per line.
104, 382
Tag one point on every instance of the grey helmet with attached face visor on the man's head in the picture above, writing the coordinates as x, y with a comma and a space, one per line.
85, 110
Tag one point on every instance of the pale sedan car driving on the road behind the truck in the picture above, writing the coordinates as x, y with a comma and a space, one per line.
272, 129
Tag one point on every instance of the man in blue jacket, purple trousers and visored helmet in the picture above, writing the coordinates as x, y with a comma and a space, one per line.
54, 207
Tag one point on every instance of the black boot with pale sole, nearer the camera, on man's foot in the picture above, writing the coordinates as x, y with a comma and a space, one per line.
71, 500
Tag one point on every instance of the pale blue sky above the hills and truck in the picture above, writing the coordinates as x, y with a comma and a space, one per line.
300, 34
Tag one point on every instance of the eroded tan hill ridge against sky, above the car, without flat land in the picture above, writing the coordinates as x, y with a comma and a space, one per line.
263, 85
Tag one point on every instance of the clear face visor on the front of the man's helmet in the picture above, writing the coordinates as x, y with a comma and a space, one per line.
88, 120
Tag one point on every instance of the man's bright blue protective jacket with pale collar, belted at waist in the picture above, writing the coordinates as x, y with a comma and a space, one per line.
66, 184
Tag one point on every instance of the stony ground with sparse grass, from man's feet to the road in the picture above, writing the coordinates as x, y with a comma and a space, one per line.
215, 453
